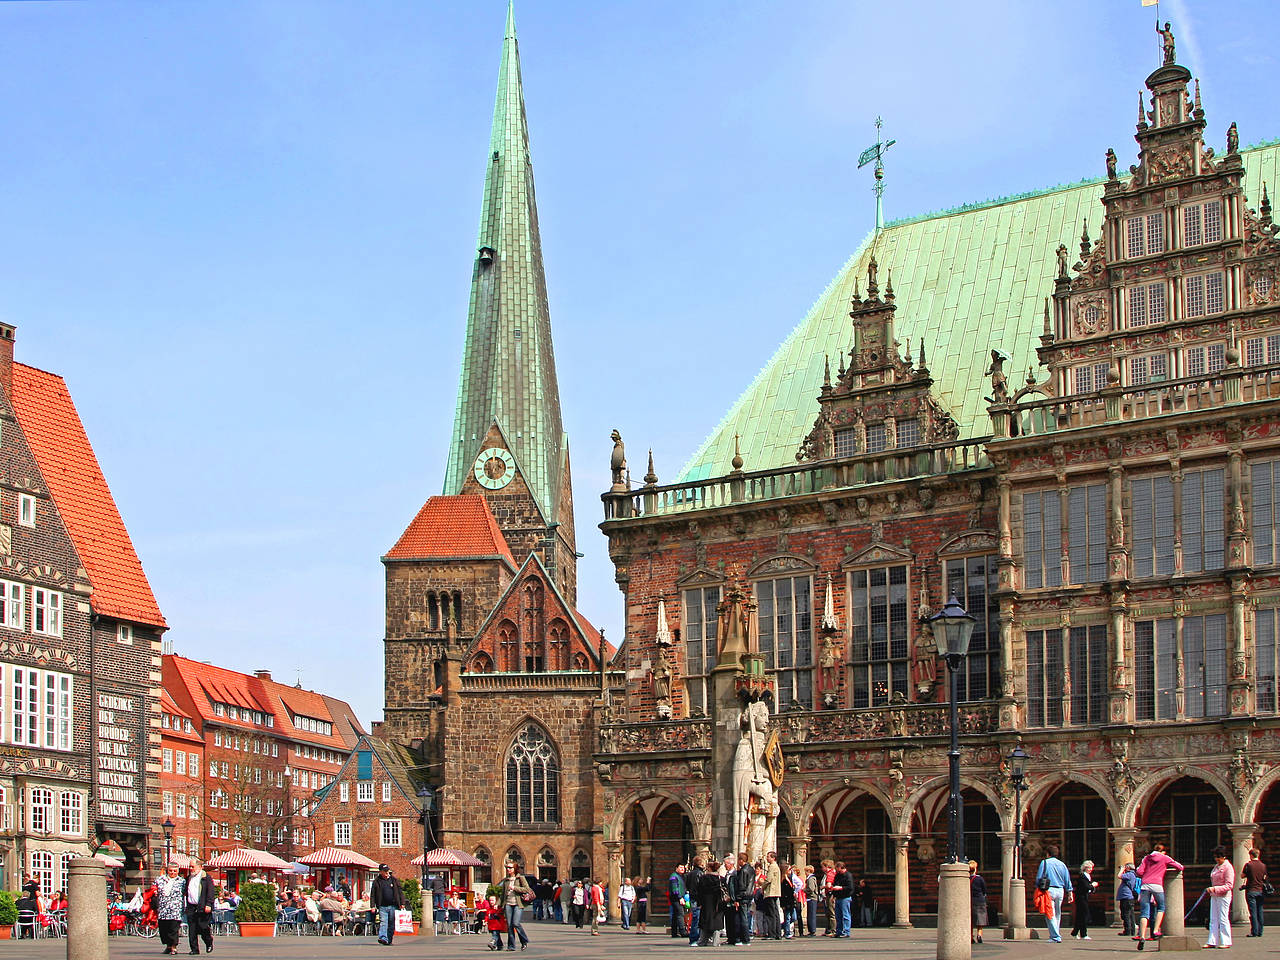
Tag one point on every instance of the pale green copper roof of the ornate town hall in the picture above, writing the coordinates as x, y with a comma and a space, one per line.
968, 281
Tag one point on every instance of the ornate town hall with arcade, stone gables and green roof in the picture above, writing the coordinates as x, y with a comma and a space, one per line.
1082, 447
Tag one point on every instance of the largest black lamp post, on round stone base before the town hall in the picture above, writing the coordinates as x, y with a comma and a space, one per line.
953, 628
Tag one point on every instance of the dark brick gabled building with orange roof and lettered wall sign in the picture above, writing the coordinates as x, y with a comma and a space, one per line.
80, 639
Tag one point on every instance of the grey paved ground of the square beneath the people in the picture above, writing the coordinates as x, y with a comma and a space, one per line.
548, 940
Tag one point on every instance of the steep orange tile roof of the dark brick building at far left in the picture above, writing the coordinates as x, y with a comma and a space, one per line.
62, 450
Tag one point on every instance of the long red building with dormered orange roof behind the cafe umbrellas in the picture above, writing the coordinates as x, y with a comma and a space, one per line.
268, 749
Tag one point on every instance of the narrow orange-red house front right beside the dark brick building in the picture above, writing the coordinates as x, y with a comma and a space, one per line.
182, 781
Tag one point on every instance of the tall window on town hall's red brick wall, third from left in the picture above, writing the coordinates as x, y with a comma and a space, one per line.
879, 614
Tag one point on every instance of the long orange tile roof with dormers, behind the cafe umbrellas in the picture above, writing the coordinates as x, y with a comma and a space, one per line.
203, 684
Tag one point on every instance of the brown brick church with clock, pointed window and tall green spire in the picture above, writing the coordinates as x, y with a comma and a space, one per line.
484, 643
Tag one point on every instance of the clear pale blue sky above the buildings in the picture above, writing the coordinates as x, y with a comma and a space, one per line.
244, 234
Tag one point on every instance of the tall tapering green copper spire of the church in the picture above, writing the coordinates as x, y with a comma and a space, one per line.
509, 365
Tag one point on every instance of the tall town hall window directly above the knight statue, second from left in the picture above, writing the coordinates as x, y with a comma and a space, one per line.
785, 618
